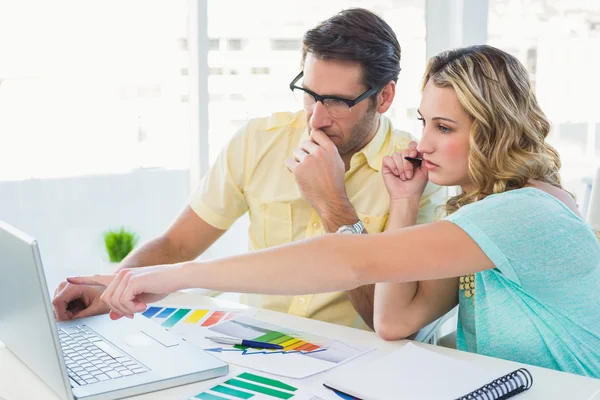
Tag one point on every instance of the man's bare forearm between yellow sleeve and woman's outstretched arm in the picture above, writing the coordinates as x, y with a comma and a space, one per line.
187, 238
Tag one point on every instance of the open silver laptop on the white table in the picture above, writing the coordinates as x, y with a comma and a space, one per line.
89, 358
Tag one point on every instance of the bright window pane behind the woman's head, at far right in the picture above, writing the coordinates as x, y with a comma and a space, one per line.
558, 42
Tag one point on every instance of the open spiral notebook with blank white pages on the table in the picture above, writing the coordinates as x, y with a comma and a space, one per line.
416, 373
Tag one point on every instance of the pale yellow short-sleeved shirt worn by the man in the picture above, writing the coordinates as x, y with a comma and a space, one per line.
250, 175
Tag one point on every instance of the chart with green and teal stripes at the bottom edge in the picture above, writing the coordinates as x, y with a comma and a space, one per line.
251, 386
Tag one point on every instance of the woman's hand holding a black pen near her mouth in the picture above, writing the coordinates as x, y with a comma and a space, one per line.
403, 180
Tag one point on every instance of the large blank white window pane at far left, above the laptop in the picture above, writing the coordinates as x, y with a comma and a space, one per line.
80, 94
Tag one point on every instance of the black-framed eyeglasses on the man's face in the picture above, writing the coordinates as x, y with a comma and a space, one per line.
336, 106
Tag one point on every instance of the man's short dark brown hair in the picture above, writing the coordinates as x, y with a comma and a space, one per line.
360, 36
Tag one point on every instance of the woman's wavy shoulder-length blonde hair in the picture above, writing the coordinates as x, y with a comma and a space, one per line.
507, 138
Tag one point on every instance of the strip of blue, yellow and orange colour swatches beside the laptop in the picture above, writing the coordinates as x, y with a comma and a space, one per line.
169, 317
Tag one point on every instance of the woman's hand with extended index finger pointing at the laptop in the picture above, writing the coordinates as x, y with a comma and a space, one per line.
131, 289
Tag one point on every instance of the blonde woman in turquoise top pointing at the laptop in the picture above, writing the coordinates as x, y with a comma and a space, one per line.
528, 265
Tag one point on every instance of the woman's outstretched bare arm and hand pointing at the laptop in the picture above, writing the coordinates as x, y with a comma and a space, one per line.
322, 264
